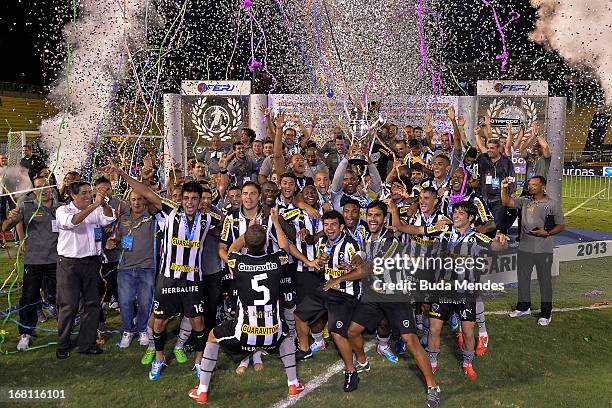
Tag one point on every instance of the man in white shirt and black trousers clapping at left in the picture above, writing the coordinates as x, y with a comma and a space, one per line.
79, 247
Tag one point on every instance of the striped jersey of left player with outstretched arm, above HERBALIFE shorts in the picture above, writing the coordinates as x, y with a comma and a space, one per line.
183, 240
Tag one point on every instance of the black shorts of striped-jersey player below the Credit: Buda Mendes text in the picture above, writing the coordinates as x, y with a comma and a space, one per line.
399, 315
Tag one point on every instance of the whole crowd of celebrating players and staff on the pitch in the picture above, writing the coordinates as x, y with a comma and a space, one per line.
268, 246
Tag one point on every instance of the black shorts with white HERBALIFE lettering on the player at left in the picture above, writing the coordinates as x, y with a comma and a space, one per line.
173, 296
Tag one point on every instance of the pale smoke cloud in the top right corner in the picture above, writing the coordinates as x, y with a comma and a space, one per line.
581, 32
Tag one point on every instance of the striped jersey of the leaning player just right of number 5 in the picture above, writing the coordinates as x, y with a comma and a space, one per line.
340, 251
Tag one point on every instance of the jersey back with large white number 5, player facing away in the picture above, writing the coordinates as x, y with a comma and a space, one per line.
257, 280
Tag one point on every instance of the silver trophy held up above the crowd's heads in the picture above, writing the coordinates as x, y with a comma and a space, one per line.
362, 130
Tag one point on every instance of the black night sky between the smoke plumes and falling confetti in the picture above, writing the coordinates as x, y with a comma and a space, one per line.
31, 39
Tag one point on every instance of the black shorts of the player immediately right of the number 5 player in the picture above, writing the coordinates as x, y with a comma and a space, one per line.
338, 306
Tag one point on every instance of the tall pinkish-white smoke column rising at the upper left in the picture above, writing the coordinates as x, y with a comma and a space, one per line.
98, 44
